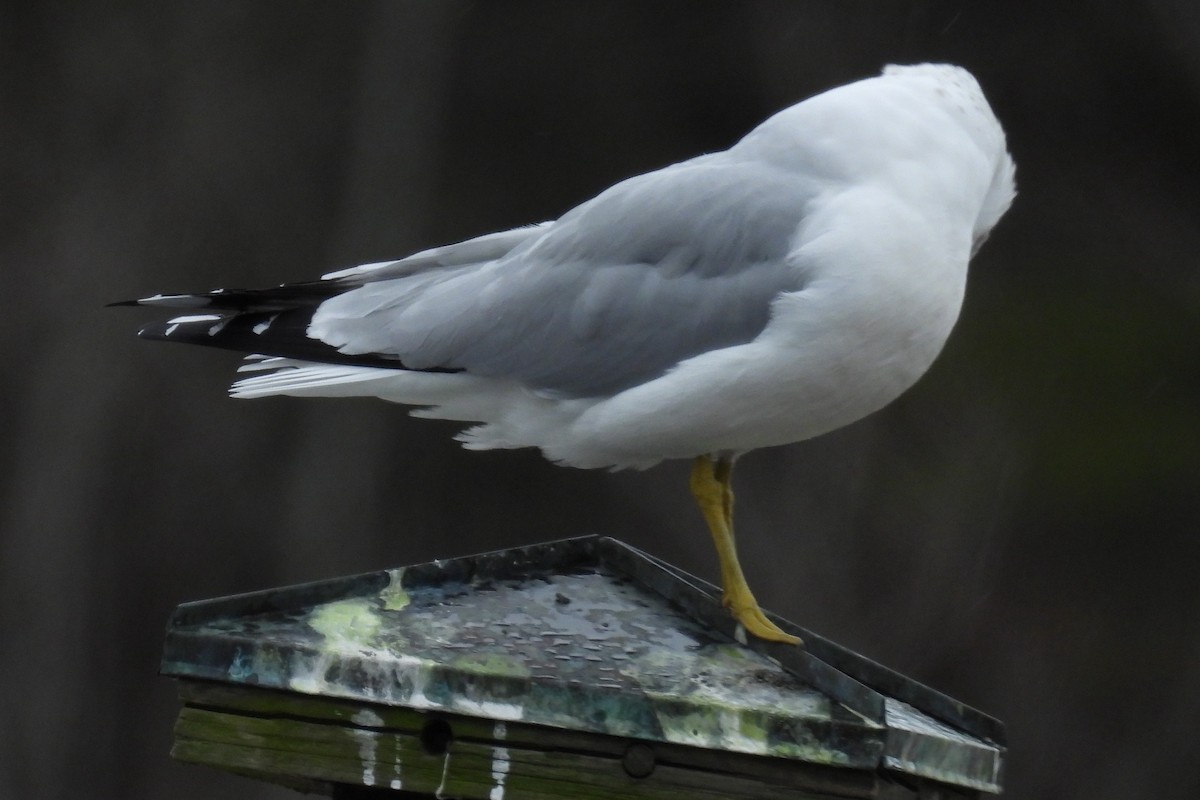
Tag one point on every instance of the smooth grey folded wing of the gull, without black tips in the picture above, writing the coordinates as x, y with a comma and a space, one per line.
656, 270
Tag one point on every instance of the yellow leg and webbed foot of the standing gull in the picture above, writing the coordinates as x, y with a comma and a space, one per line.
711, 485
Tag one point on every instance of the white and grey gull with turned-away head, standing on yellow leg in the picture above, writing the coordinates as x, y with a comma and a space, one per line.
757, 297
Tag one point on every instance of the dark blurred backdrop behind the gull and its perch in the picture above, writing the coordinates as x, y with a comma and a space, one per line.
1021, 531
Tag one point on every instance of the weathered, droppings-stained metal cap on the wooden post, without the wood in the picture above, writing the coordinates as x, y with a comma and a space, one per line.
585, 635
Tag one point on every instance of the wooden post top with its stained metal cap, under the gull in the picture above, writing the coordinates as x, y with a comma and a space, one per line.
581, 669
